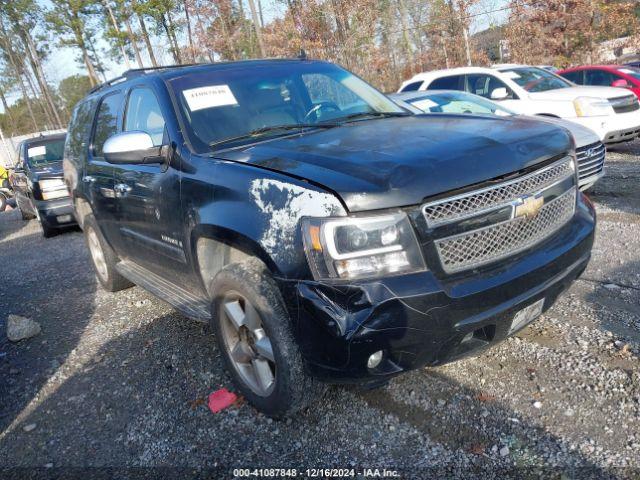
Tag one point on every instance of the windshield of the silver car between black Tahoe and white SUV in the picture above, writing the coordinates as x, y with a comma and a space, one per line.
458, 102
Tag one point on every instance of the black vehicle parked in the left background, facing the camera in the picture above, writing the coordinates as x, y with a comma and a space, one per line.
38, 184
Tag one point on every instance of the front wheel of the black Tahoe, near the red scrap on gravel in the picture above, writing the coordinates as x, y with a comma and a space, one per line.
253, 332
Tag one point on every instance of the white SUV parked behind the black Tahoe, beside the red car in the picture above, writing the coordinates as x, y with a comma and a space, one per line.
613, 113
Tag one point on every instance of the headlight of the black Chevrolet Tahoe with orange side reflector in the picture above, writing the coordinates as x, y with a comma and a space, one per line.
361, 247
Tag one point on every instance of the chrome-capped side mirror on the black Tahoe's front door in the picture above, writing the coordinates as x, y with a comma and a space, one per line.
134, 148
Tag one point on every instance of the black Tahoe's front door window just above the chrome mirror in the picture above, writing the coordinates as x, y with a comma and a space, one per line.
144, 114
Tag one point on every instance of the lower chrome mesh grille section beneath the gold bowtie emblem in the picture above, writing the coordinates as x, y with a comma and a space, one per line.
479, 247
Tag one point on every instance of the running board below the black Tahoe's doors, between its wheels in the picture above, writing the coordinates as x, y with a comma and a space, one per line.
190, 304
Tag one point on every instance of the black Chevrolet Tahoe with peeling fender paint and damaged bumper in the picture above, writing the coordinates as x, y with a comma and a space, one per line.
328, 235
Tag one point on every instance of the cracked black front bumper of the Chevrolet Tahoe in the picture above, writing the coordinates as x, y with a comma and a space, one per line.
420, 319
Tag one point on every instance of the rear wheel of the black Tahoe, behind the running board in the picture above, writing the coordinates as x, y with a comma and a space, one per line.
103, 258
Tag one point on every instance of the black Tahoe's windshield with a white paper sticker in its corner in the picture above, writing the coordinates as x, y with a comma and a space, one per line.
226, 106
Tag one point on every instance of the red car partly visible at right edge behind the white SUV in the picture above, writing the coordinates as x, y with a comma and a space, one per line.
622, 76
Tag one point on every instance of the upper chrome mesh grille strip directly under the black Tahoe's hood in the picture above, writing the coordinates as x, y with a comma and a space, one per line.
456, 208
